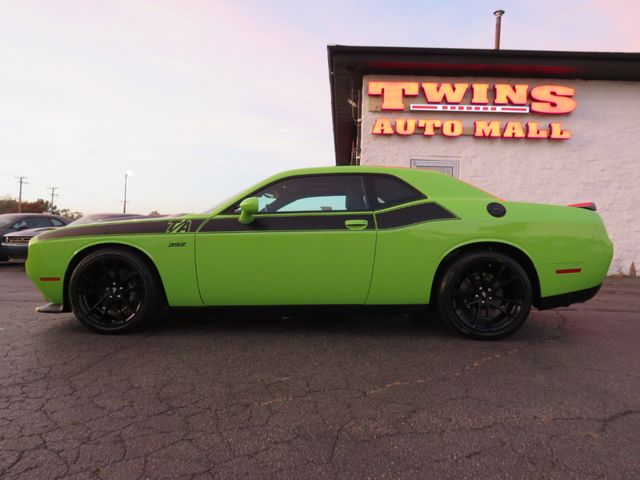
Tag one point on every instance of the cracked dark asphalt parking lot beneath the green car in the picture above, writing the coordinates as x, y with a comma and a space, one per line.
320, 397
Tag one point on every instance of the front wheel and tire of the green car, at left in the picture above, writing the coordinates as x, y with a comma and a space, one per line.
113, 291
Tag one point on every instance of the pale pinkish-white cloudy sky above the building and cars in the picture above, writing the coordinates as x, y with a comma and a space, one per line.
201, 99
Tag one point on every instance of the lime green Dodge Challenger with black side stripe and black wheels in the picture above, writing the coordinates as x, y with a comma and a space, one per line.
368, 236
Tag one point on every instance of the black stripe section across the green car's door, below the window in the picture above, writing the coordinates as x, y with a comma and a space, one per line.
293, 223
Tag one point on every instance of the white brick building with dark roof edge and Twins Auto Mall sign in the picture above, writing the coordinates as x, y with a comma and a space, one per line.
440, 108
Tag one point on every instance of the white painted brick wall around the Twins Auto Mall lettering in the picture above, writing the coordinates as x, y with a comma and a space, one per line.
600, 163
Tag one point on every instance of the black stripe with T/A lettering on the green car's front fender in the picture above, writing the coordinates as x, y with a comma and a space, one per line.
134, 227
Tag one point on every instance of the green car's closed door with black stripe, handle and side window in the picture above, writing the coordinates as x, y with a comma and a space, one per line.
312, 242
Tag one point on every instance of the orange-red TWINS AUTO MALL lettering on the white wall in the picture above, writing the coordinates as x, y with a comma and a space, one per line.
474, 99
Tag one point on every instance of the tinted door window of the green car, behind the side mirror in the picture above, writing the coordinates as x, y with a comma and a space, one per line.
314, 193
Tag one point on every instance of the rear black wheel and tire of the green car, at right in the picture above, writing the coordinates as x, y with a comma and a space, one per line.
485, 295
